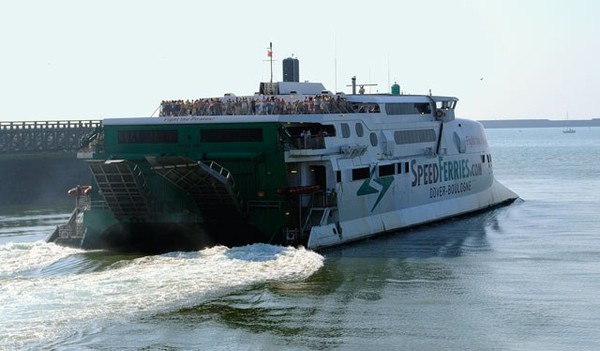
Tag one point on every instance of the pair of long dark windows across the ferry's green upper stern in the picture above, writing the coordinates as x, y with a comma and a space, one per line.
206, 136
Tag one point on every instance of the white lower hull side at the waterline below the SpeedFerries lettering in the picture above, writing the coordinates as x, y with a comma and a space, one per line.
368, 226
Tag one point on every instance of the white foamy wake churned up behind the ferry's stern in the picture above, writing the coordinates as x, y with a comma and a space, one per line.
41, 310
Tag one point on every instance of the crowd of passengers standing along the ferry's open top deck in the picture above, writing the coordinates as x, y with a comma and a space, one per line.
264, 105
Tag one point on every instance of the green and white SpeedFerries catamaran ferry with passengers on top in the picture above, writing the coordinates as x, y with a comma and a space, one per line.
293, 164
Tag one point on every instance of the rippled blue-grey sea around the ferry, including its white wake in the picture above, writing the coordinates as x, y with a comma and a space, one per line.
522, 277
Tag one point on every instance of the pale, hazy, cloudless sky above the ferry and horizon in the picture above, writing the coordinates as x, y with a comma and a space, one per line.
504, 59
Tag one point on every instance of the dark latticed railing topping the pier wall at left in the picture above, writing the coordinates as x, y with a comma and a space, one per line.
40, 137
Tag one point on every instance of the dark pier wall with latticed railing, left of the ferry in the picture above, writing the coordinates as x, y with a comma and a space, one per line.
38, 160
